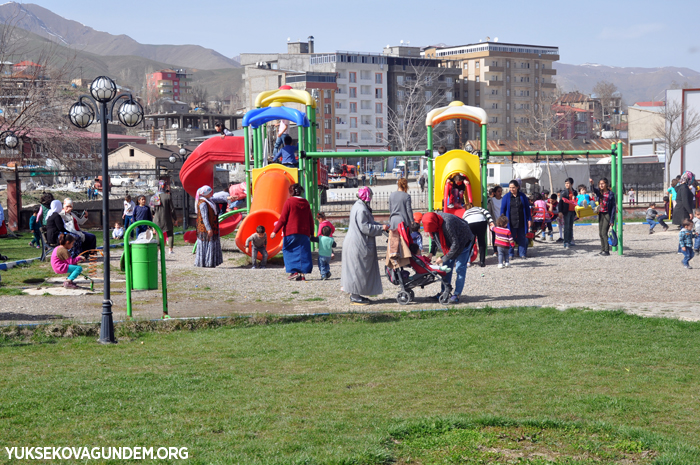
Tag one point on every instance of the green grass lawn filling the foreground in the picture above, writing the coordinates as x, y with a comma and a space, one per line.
478, 386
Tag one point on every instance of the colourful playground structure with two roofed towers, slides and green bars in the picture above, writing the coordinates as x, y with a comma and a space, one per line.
273, 180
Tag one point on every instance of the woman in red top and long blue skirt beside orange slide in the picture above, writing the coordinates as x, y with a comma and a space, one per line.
297, 225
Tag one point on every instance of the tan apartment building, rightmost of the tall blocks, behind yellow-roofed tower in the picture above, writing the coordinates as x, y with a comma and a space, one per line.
504, 79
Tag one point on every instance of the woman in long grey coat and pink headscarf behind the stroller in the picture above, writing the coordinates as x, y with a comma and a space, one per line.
360, 275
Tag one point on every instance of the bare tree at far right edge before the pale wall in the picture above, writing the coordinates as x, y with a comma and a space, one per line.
678, 128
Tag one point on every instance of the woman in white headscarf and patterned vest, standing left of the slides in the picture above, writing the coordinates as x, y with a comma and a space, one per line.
208, 254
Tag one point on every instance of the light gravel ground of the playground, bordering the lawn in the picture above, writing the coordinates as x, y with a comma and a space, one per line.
643, 282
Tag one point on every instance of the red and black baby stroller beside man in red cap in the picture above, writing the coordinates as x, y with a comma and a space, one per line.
423, 276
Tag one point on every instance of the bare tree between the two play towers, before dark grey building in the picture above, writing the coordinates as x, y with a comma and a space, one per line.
420, 92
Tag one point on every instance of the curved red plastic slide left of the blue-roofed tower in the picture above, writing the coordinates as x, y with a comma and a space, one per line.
199, 168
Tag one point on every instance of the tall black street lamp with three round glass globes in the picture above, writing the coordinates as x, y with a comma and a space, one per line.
99, 106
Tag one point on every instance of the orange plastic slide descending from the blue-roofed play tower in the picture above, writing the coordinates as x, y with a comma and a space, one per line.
271, 188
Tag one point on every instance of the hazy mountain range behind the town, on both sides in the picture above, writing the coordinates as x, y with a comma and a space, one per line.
94, 53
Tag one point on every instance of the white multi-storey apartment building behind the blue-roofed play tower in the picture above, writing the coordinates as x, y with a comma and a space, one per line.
359, 103
